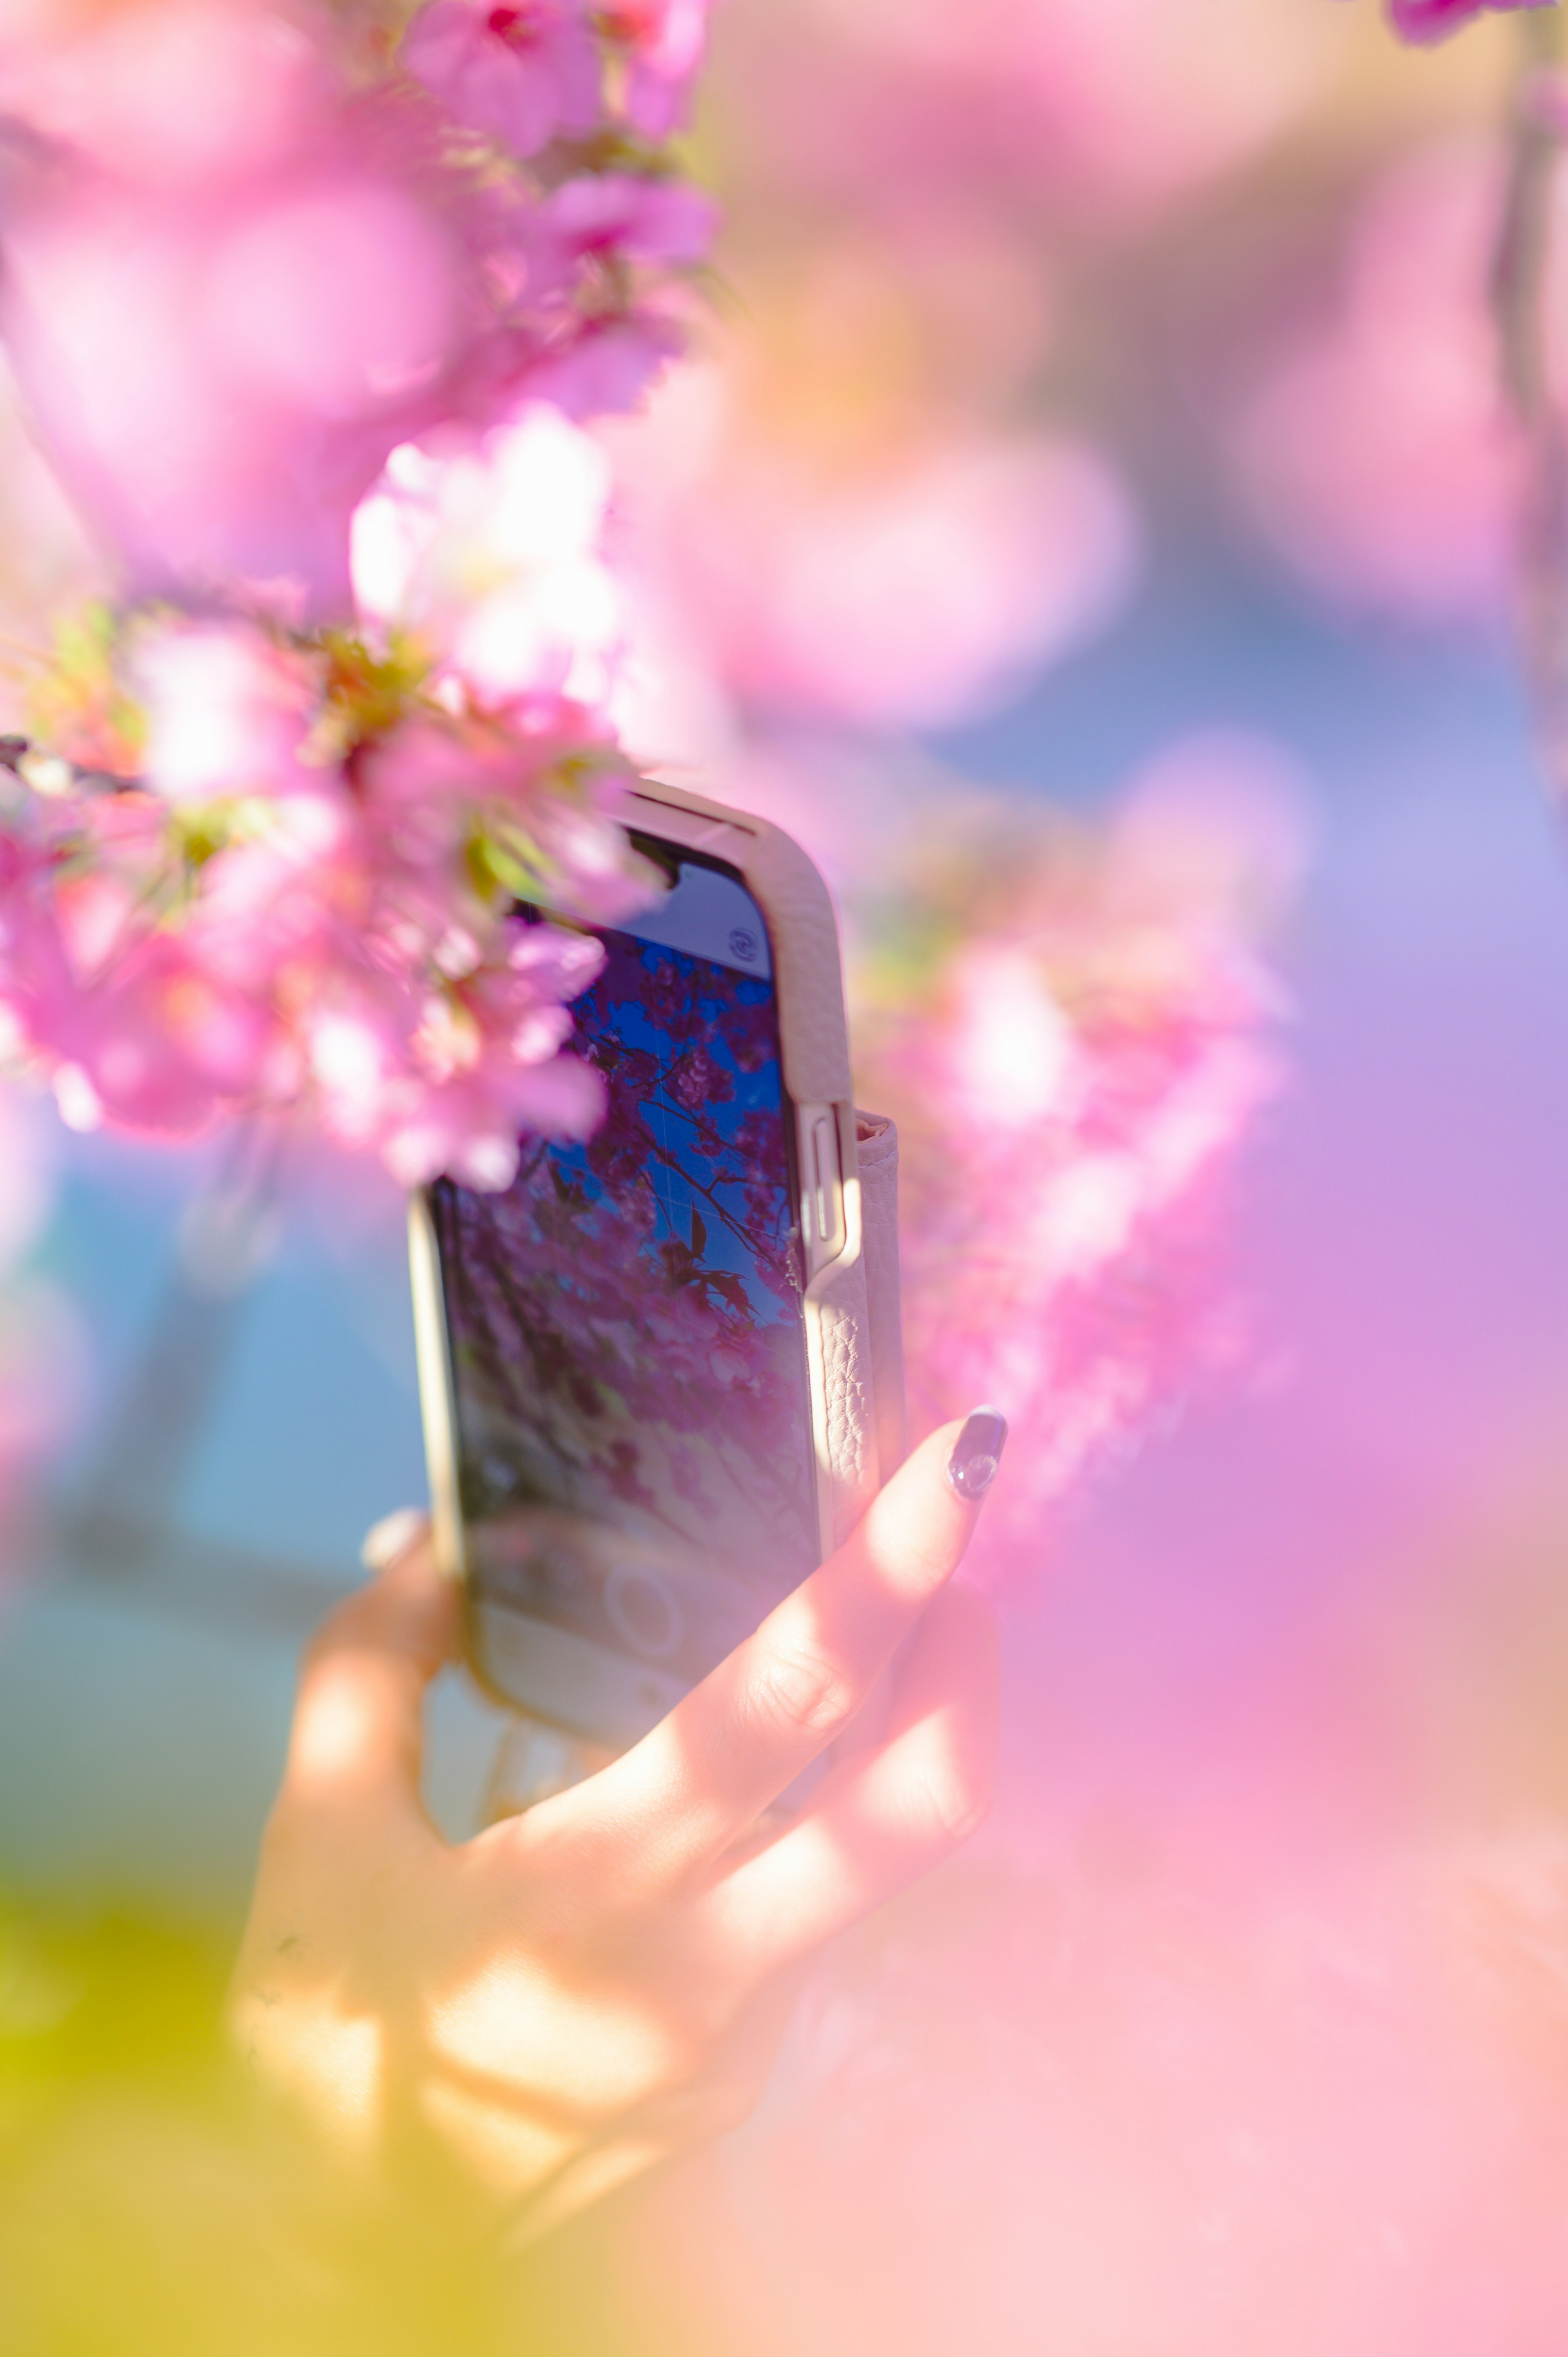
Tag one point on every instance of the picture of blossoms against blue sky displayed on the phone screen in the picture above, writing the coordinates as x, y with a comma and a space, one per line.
626, 1319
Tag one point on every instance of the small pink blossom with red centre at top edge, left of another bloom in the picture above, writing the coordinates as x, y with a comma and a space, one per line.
522, 72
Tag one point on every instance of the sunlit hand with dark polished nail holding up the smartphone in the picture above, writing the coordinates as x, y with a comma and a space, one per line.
598, 1983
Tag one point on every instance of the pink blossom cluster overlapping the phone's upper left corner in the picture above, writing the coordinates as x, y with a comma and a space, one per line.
310, 909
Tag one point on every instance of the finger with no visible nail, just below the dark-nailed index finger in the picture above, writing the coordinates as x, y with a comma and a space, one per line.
878, 1821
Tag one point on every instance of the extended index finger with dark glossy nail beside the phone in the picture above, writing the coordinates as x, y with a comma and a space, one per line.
746, 1731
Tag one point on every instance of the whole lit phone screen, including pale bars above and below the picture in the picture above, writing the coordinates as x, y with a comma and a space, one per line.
628, 1345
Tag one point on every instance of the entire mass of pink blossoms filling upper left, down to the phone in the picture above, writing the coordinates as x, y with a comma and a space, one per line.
272, 812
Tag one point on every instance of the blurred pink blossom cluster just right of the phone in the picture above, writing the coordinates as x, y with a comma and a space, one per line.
1074, 1071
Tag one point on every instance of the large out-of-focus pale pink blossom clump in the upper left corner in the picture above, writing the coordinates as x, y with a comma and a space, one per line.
223, 378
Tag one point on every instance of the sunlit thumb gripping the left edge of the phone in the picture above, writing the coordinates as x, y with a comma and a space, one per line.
360, 1712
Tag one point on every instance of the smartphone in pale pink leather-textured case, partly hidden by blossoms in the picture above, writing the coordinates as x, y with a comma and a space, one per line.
626, 1361
